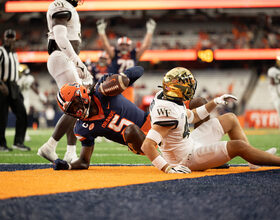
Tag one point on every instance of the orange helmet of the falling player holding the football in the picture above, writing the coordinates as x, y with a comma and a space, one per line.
73, 99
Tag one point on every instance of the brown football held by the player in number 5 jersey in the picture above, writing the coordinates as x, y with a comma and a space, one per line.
114, 85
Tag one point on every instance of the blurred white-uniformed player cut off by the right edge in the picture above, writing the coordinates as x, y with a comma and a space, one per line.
274, 86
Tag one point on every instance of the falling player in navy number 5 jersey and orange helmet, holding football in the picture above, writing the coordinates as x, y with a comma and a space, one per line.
103, 111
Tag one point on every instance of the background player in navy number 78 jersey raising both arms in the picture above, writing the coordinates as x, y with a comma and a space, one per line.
123, 56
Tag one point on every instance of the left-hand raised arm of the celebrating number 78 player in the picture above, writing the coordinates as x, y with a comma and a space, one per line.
101, 26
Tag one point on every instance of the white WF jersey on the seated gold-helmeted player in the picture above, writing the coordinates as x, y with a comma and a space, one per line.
176, 144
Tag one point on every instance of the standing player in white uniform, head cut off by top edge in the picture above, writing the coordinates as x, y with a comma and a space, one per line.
65, 66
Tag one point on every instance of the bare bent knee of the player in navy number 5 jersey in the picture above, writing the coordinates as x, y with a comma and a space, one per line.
134, 138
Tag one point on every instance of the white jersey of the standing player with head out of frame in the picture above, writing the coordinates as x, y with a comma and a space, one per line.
73, 25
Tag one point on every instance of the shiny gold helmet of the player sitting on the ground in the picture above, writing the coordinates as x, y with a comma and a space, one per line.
179, 84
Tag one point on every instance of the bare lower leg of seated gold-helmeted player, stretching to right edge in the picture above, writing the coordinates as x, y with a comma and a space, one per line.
251, 154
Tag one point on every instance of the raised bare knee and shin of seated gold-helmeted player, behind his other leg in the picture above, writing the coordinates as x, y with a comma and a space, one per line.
232, 127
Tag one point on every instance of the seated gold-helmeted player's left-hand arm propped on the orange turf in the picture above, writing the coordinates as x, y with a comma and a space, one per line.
153, 138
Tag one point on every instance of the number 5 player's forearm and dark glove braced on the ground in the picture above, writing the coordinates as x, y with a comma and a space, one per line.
82, 163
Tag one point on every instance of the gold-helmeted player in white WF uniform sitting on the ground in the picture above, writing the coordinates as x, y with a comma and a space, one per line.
182, 151
